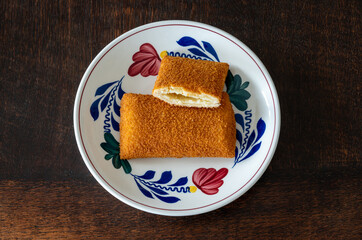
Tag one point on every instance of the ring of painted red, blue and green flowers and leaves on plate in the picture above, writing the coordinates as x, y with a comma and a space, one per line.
146, 62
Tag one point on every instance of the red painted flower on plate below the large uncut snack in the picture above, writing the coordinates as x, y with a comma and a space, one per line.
209, 180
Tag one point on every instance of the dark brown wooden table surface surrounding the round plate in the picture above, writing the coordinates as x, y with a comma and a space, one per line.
312, 188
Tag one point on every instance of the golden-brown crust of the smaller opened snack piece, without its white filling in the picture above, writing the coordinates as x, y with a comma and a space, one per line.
196, 76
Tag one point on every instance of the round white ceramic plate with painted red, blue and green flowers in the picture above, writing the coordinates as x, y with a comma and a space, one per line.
176, 187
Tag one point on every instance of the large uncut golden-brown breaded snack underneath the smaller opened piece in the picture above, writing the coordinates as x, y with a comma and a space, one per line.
150, 127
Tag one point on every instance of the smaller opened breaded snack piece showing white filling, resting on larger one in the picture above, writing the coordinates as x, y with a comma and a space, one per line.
189, 82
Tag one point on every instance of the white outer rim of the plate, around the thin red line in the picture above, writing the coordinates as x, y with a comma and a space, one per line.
177, 212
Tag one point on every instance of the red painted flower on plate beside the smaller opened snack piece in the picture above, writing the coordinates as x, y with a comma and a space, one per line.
146, 62
